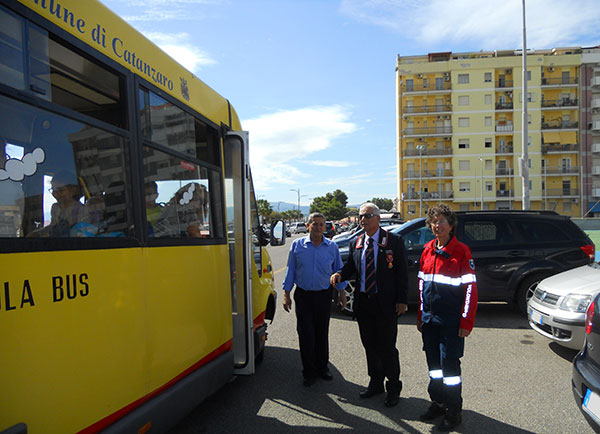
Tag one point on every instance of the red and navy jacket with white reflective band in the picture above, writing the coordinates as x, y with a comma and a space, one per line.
447, 285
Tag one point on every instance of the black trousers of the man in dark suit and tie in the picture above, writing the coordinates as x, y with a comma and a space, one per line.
378, 332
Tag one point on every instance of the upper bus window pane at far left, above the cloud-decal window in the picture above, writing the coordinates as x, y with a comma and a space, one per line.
57, 73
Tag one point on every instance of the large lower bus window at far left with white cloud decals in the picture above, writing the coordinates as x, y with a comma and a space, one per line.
50, 169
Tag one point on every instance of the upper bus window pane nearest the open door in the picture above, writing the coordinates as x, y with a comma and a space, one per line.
166, 124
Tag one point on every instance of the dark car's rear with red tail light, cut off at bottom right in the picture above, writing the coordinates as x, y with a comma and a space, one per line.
586, 368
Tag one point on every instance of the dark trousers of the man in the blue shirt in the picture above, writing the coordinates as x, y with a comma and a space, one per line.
313, 310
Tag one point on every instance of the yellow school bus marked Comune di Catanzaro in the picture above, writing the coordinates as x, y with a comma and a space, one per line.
133, 276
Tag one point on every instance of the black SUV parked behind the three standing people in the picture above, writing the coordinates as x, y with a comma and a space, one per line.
512, 250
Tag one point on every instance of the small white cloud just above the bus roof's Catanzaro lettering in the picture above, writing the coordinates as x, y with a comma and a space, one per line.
180, 48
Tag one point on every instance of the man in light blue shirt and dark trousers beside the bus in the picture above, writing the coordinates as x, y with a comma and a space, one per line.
311, 262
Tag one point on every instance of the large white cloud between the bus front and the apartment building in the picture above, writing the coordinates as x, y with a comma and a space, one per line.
279, 140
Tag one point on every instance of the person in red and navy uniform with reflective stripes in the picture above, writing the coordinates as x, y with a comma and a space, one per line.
448, 303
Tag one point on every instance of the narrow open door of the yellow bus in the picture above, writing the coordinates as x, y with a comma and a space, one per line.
239, 230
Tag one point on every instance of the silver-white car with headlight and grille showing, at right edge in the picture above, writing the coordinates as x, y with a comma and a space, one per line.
559, 304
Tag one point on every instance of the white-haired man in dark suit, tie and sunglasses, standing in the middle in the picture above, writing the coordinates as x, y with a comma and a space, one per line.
378, 262
